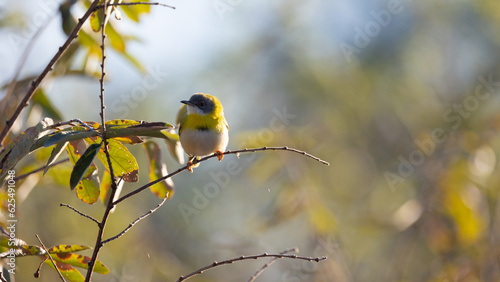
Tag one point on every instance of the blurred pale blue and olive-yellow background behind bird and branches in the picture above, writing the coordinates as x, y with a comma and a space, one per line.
401, 97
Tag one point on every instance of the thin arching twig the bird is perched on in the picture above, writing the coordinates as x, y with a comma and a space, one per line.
237, 152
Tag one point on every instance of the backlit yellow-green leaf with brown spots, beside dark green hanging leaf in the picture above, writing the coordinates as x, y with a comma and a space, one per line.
124, 163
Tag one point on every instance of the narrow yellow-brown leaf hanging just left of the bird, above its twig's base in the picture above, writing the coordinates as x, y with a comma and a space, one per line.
158, 169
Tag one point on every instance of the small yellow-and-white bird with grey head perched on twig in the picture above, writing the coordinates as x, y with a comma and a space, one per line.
203, 129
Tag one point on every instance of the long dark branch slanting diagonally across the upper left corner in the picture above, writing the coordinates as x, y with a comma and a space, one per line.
48, 68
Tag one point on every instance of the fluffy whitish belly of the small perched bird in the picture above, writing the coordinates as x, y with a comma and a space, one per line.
203, 142
